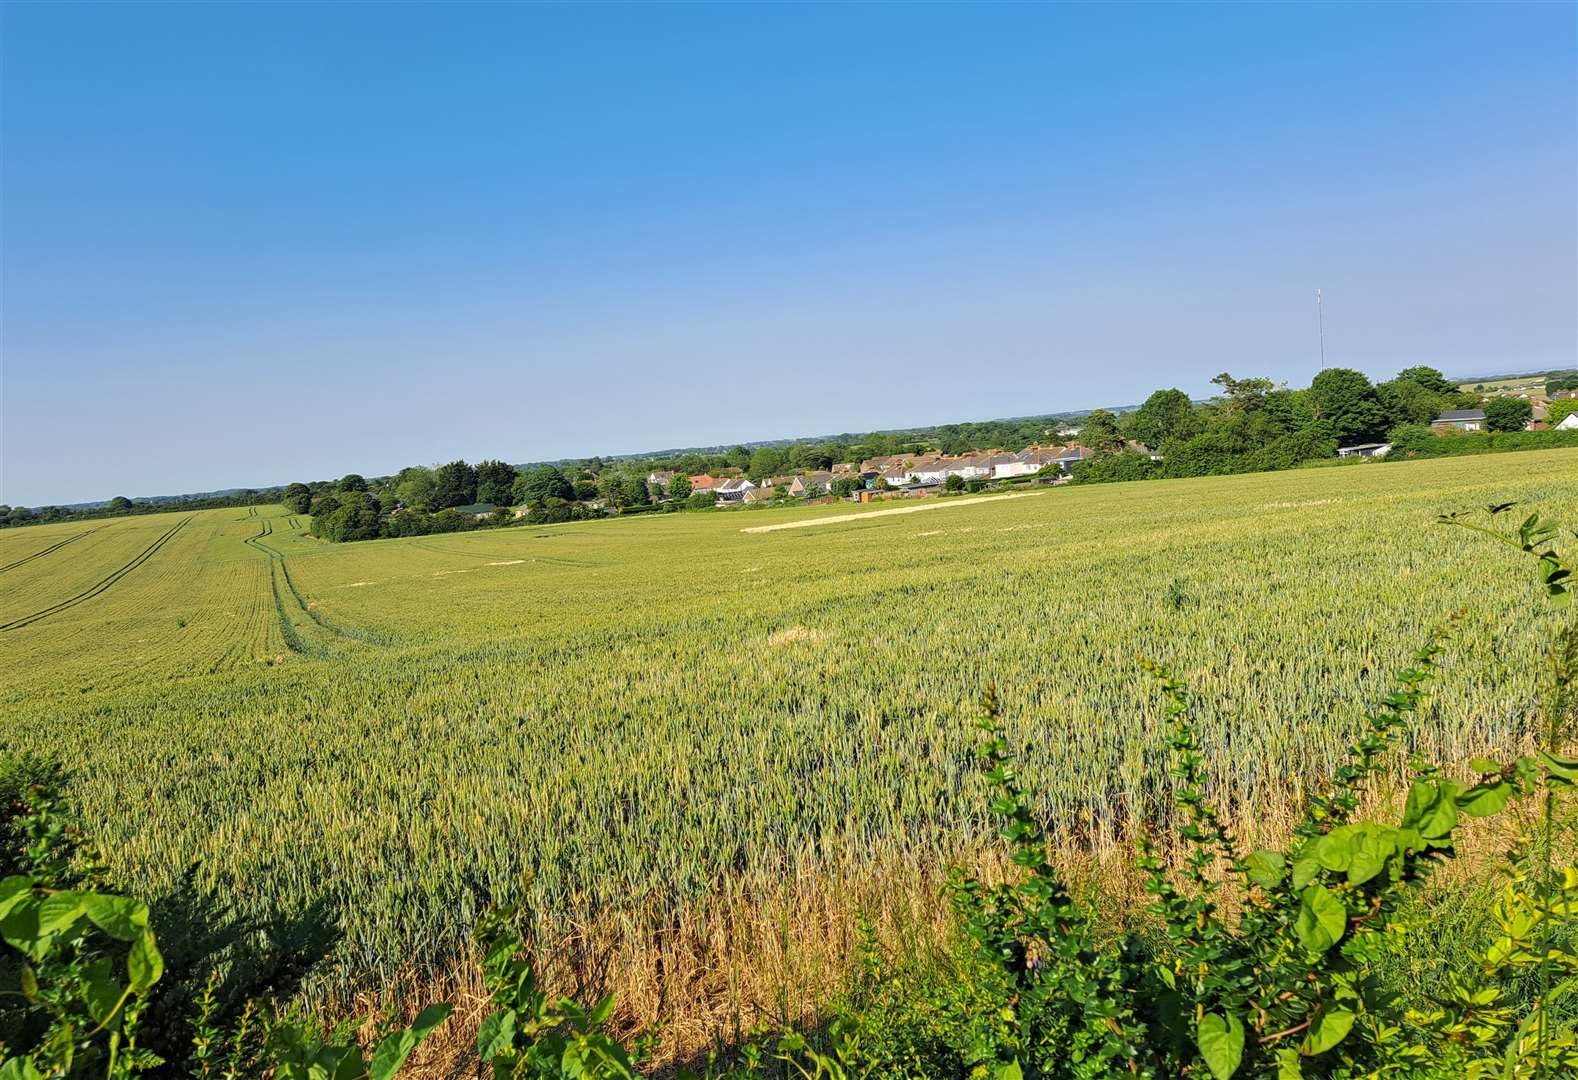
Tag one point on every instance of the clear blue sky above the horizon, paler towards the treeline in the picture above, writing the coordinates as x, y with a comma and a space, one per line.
250, 244
